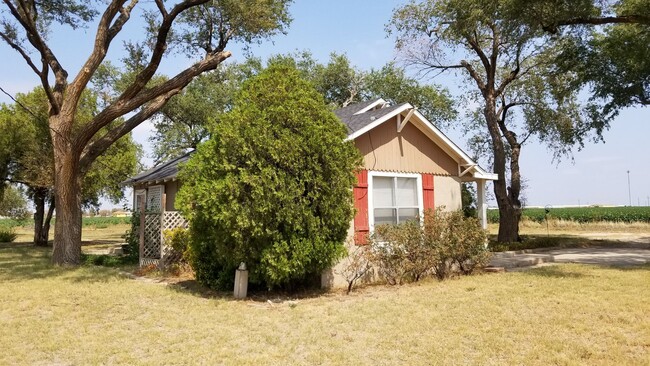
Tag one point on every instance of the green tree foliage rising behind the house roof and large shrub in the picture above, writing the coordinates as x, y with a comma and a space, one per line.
182, 123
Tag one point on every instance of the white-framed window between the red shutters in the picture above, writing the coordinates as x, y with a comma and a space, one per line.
394, 198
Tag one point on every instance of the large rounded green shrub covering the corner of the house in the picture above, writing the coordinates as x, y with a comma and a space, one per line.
271, 187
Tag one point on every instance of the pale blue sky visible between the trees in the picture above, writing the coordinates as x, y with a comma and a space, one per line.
597, 175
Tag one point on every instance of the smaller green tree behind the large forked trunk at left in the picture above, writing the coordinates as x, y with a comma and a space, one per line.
26, 150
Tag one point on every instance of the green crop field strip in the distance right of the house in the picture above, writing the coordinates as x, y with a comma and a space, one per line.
583, 214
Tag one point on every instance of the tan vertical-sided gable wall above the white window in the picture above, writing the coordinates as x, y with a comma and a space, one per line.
409, 151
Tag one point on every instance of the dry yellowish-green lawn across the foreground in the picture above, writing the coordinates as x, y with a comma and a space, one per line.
568, 314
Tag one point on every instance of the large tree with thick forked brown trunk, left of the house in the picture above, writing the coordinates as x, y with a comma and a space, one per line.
200, 28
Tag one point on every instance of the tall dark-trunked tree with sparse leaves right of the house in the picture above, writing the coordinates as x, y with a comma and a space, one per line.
507, 65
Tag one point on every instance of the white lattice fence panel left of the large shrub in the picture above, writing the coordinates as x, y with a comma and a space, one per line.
155, 251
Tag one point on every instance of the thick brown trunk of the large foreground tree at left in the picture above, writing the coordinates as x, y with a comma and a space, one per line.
67, 195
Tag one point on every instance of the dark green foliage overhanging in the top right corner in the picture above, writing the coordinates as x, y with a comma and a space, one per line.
604, 43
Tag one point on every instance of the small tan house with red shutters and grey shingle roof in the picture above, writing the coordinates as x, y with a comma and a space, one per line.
408, 167
